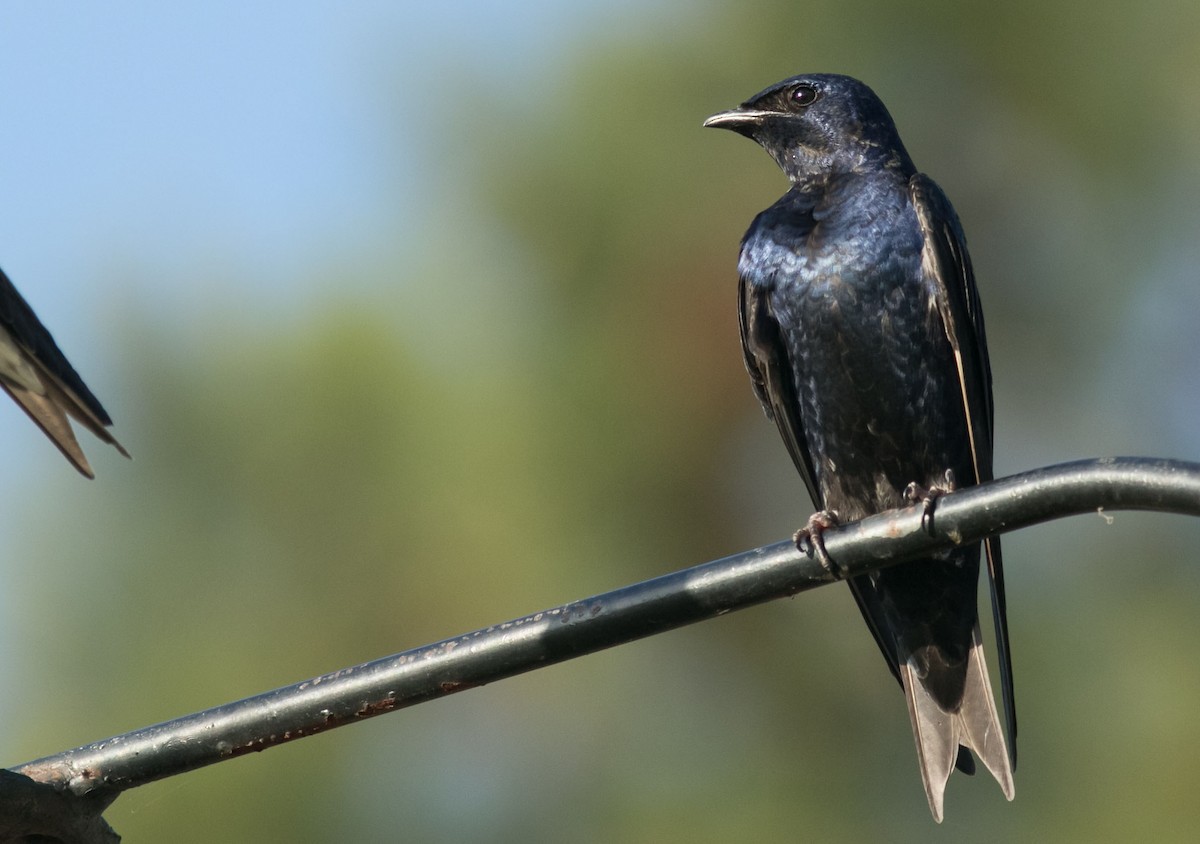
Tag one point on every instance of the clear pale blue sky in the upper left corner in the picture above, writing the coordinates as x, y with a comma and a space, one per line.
163, 137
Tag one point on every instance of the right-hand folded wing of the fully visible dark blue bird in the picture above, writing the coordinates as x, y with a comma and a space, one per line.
947, 266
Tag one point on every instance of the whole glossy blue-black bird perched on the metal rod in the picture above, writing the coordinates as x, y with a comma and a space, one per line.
865, 342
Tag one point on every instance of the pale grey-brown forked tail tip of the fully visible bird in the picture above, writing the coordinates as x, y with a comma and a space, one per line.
975, 725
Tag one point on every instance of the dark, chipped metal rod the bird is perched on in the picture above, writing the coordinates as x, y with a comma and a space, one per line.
613, 619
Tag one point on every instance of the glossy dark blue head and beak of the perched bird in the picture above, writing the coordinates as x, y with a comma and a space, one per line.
819, 125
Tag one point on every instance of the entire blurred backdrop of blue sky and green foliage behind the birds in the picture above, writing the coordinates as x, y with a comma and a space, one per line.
422, 318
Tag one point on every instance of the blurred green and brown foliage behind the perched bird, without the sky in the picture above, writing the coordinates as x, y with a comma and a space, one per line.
548, 402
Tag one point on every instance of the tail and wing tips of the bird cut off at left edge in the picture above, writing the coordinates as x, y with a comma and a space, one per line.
38, 376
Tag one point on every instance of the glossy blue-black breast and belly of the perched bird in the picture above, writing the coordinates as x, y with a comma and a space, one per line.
873, 369
